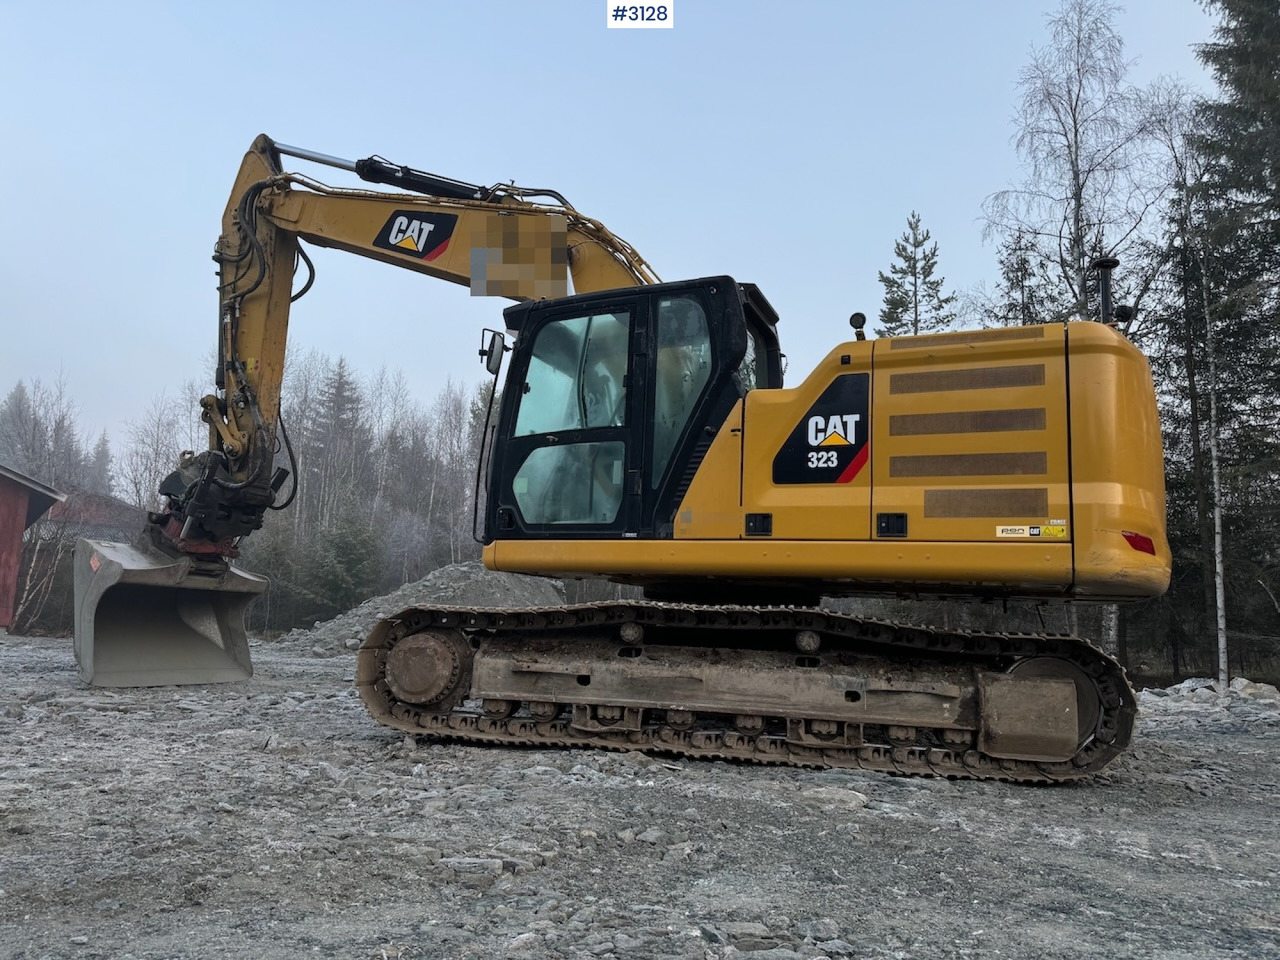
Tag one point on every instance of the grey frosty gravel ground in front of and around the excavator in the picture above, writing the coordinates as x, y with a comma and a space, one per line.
275, 819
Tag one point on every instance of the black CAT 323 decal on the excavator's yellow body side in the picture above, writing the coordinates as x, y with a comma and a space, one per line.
829, 446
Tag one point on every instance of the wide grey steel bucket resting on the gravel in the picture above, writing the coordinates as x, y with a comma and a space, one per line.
147, 619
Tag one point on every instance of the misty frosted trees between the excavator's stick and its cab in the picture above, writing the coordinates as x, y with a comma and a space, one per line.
385, 491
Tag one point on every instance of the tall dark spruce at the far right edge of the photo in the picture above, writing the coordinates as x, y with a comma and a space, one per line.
1238, 259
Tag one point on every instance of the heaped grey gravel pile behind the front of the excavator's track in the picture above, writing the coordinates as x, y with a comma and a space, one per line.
459, 584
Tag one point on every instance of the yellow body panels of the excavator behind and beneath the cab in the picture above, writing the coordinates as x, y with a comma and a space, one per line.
1107, 481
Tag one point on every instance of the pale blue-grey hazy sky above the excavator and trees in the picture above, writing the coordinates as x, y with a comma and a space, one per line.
784, 144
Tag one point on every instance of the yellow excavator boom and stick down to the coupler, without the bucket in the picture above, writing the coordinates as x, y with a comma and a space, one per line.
501, 241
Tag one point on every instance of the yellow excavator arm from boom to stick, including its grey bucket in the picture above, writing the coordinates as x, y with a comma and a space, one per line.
170, 609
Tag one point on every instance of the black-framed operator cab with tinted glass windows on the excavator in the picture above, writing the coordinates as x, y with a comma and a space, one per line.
612, 401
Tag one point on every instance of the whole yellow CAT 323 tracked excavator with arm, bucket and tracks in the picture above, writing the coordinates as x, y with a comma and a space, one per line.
644, 436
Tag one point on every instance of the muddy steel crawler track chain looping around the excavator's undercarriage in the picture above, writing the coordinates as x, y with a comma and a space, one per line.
714, 735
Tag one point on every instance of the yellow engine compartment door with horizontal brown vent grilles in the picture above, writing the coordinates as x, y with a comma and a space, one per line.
971, 437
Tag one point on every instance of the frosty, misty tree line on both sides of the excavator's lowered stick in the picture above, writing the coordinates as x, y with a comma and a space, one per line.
383, 493
